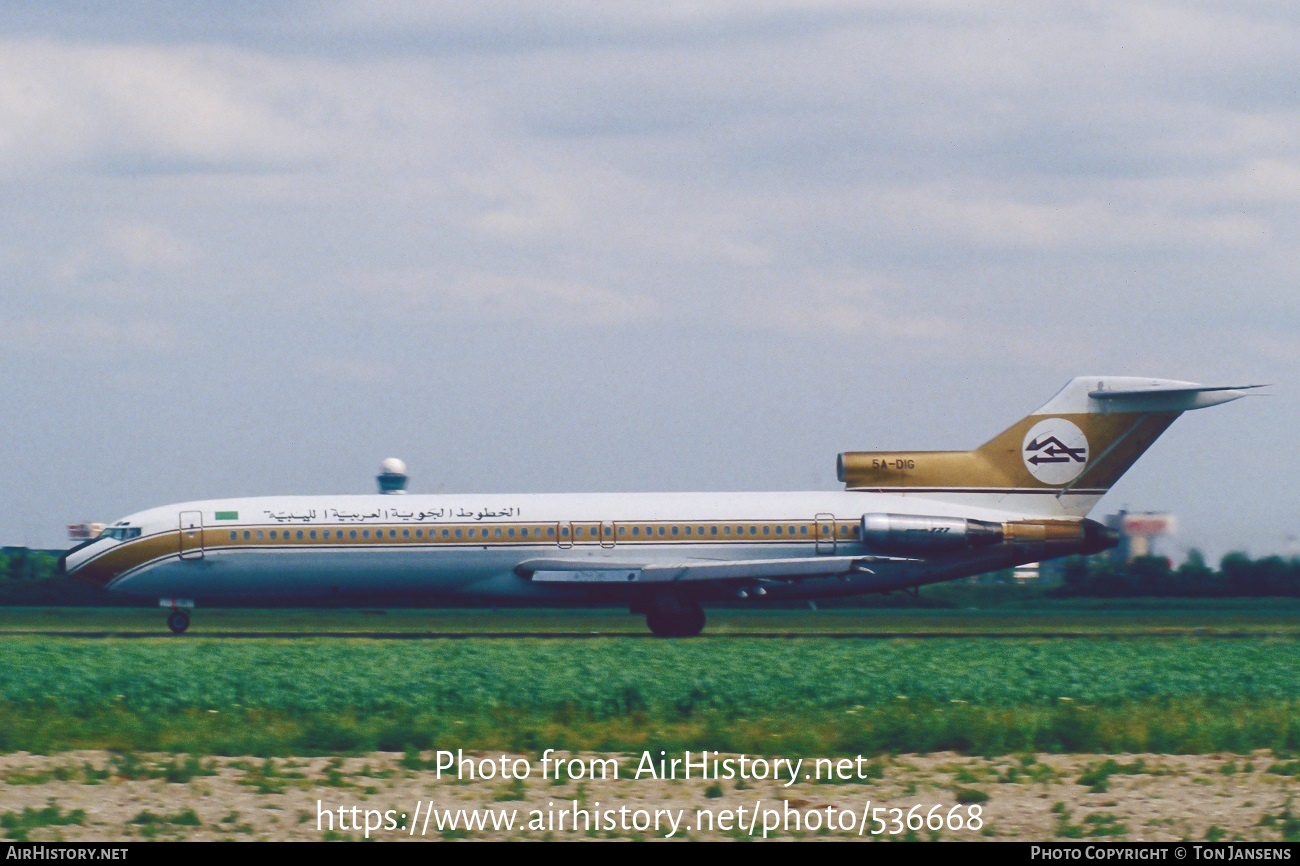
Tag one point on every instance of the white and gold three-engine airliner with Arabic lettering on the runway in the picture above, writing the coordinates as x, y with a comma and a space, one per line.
904, 519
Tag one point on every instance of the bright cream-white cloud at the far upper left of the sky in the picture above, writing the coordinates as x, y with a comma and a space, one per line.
142, 109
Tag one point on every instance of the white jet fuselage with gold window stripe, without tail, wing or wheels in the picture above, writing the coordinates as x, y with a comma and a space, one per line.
473, 545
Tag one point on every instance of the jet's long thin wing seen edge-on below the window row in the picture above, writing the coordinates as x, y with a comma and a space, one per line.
596, 571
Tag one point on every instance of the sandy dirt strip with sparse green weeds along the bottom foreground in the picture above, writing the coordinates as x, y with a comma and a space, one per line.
97, 796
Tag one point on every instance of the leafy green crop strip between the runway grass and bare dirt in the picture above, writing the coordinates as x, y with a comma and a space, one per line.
803, 695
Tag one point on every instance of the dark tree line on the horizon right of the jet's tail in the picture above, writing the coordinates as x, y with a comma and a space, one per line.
1154, 577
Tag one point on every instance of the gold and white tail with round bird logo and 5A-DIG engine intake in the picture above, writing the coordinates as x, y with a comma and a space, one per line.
1056, 462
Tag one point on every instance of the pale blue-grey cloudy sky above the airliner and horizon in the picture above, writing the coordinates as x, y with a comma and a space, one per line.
257, 248
